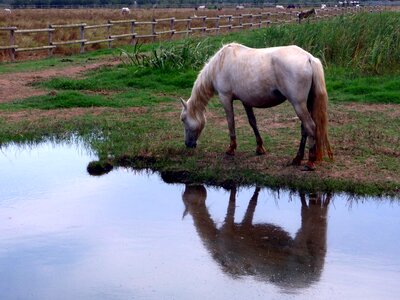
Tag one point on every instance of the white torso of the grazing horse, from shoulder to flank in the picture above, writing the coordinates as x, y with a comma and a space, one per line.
261, 77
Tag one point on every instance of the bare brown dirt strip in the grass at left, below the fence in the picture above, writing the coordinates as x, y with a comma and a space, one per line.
19, 85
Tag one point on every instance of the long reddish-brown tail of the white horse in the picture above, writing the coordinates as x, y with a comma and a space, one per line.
319, 110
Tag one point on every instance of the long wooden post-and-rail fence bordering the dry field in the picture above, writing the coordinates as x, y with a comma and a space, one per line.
166, 28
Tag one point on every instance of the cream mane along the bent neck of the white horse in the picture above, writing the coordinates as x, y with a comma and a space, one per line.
203, 88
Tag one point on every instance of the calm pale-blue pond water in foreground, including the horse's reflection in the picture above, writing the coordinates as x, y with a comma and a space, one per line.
126, 235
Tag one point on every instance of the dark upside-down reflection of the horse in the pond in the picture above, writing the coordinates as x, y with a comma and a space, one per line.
265, 251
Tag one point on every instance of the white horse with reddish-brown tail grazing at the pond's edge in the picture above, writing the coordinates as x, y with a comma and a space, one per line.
263, 78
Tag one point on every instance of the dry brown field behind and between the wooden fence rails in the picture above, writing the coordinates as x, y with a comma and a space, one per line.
27, 19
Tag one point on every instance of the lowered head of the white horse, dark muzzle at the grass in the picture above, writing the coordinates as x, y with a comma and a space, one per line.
193, 125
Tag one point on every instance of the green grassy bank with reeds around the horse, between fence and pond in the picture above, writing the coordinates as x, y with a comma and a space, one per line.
128, 113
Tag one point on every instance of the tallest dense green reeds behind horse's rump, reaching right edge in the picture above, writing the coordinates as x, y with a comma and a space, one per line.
364, 42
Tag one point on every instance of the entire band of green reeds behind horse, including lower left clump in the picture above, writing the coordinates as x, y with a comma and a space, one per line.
365, 43
